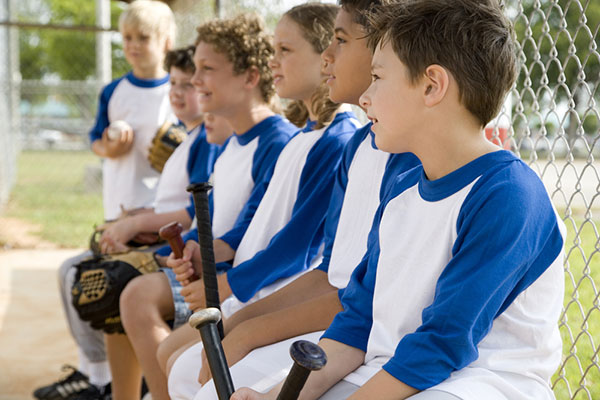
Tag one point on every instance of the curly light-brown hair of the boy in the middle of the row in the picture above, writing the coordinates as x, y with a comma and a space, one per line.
245, 43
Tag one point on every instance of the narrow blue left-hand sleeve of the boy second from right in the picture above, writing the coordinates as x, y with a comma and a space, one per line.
337, 196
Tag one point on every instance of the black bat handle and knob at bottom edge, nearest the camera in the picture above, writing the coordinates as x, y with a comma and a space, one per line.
307, 357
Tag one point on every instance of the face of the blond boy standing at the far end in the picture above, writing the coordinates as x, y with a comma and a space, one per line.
143, 51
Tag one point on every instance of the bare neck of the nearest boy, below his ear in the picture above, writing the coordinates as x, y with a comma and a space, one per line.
450, 144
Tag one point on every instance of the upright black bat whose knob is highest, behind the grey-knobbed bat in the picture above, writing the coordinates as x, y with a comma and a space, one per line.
209, 271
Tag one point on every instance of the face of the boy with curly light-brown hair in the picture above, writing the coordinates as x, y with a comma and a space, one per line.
219, 87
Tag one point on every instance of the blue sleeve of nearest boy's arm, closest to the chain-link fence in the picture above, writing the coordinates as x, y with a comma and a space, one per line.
508, 236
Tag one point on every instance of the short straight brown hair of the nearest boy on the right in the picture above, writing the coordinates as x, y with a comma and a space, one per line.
472, 39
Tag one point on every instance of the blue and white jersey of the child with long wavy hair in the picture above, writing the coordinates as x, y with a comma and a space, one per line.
286, 233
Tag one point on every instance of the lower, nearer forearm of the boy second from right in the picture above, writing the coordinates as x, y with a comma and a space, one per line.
311, 316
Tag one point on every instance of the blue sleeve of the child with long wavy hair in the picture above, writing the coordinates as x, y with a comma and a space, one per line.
293, 247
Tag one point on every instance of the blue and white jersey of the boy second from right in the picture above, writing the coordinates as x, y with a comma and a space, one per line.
360, 182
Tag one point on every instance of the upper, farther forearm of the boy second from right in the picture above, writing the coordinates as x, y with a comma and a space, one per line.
310, 285
